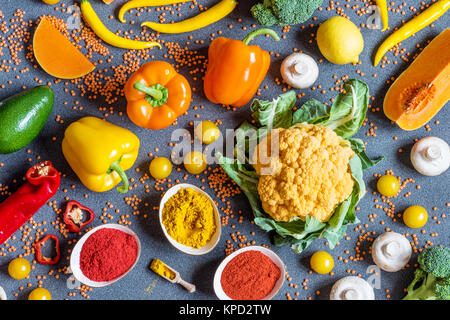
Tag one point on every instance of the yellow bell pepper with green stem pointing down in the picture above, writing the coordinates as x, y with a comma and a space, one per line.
99, 152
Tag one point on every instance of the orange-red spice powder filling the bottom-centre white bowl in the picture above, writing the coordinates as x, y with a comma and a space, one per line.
250, 275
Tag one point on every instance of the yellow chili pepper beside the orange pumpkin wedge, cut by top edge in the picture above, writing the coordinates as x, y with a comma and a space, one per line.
103, 33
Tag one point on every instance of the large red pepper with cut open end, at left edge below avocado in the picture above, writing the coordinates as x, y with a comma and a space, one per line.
42, 183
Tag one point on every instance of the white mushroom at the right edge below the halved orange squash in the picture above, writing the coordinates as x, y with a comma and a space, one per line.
431, 156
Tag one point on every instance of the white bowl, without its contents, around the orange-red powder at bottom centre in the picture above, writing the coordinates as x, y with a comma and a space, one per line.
272, 255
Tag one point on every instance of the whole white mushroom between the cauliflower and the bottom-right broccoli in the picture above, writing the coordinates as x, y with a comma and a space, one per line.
391, 251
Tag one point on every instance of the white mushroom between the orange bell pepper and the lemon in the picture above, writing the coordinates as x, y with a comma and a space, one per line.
299, 70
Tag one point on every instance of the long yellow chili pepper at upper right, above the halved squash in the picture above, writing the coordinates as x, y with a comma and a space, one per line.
434, 12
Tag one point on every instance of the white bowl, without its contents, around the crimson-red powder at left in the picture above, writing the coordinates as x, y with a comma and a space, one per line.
75, 256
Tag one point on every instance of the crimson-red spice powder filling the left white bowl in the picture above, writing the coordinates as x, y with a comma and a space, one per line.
107, 254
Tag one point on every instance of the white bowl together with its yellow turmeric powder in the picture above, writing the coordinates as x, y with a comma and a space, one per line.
190, 219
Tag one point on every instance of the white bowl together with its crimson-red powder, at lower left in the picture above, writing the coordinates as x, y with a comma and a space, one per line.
104, 255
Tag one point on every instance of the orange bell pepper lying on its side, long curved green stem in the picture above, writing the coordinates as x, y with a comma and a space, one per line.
235, 69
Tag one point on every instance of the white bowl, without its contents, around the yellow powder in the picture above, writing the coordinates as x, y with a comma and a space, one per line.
186, 249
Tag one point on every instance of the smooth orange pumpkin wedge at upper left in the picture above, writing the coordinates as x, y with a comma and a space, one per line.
57, 55
